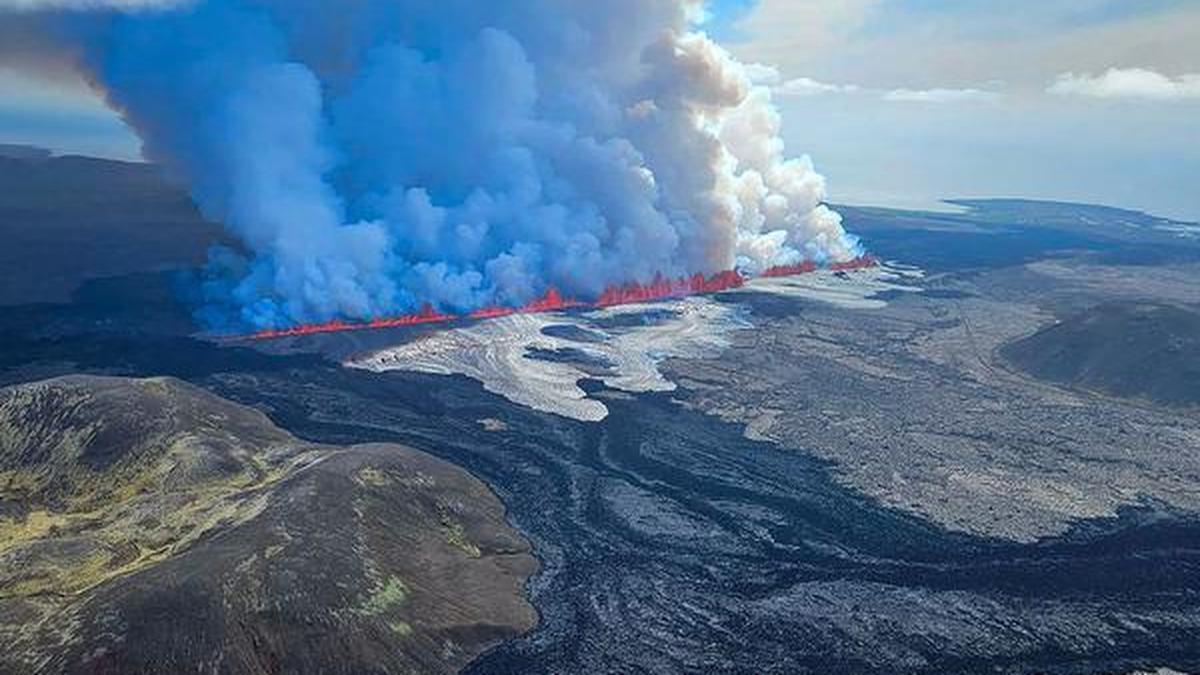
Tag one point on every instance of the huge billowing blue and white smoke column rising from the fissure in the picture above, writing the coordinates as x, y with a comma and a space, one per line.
375, 156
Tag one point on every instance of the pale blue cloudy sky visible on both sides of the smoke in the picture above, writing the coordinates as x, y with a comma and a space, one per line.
901, 103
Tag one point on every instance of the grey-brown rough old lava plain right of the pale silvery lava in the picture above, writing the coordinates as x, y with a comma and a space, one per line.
914, 407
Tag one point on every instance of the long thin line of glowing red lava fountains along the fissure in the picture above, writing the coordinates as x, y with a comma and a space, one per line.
629, 294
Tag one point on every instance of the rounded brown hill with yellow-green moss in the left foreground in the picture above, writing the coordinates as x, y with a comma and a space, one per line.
149, 527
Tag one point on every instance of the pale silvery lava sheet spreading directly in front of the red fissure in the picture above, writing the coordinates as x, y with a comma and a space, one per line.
539, 361
